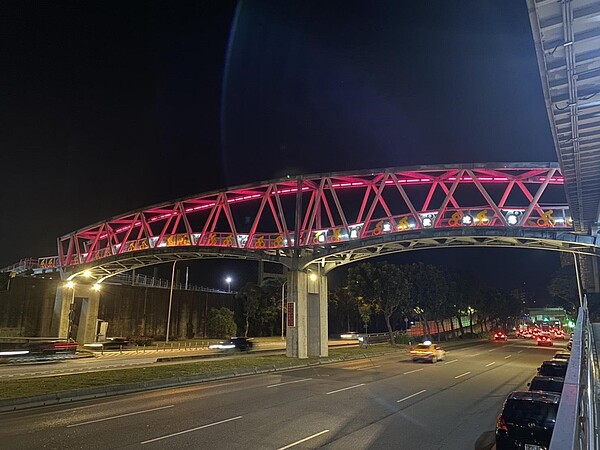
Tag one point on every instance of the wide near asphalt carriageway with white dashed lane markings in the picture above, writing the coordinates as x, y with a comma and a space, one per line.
386, 402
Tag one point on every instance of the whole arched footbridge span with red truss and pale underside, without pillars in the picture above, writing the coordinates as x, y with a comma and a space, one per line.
335, 219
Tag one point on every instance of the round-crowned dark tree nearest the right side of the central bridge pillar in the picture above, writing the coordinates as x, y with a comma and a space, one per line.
383, 286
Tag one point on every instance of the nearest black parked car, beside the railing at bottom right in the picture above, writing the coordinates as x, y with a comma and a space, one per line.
527, 420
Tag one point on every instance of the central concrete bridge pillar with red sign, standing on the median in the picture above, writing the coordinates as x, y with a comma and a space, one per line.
307, 328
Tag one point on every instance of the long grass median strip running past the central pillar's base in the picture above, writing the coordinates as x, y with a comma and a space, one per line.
39, 386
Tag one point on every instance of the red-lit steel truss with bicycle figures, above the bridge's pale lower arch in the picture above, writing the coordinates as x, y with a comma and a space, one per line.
331, 209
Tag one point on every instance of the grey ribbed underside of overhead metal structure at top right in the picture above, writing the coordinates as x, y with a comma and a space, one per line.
567, 42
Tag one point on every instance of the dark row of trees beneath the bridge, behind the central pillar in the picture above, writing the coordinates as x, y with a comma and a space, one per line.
383, 295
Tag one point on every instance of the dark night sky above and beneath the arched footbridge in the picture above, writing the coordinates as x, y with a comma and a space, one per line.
109, 106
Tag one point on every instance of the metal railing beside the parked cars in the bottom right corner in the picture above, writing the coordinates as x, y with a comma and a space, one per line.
575, 426
